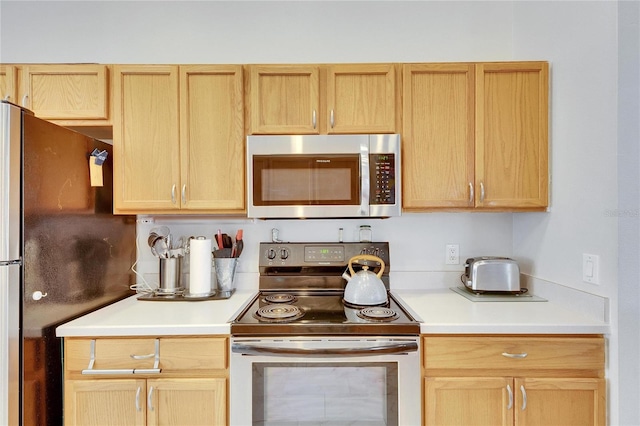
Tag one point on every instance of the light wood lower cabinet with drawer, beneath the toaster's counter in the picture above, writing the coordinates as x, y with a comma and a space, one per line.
514, 380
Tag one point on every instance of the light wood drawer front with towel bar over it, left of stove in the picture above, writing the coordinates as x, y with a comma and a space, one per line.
175, 353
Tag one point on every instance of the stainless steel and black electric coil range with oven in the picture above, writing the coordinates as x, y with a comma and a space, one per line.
300, 355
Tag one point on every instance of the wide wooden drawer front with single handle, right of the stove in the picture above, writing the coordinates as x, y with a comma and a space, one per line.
513, 352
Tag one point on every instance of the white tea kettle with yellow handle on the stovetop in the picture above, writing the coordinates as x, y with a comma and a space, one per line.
365, 288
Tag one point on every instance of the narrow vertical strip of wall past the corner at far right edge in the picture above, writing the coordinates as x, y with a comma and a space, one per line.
629, 211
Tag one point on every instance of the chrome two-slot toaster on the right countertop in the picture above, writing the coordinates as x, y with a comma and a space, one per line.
491, 274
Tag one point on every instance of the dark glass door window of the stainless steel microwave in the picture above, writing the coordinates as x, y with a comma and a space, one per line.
306, 180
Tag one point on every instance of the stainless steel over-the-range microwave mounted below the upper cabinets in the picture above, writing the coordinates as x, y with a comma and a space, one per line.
323, 176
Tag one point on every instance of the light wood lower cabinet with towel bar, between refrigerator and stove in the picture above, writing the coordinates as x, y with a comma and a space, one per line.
146, 381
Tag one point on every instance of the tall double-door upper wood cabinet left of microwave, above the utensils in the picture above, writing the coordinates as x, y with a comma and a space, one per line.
178, 139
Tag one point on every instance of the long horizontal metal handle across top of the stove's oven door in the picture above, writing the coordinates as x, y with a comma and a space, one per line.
399, 348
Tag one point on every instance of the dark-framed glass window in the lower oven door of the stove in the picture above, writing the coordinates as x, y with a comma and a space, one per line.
335, 393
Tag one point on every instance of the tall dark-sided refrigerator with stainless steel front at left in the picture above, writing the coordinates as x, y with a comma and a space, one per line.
62, 254
